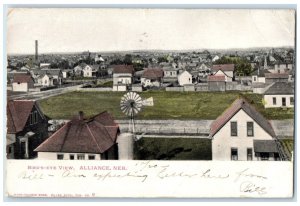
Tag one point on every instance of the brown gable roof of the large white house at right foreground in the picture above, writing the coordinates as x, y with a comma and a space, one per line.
236, 106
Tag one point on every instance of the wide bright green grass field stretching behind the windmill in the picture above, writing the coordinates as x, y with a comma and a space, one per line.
167, 105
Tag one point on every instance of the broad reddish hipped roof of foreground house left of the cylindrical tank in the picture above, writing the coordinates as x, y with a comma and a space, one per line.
95, 135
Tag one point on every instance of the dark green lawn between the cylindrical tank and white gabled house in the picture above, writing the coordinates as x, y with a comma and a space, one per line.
172, 149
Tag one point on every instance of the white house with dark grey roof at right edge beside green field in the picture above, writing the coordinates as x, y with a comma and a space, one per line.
280, 94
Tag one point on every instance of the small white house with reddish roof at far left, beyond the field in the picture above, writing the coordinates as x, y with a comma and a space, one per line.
22, 82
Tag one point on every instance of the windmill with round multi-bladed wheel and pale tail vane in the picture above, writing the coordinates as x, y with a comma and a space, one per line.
131, 104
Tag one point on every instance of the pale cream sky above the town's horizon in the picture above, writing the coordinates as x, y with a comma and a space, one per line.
96, 30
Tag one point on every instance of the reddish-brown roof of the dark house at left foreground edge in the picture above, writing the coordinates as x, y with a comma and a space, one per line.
18, 112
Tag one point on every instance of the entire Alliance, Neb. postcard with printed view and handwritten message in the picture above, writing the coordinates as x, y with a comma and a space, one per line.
155, 103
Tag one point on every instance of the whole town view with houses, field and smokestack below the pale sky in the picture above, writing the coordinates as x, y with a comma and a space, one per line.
204, 104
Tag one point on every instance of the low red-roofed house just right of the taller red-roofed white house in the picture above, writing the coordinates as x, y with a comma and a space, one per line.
152, 77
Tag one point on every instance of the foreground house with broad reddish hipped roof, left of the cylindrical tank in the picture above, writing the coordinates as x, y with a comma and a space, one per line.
83, 139
